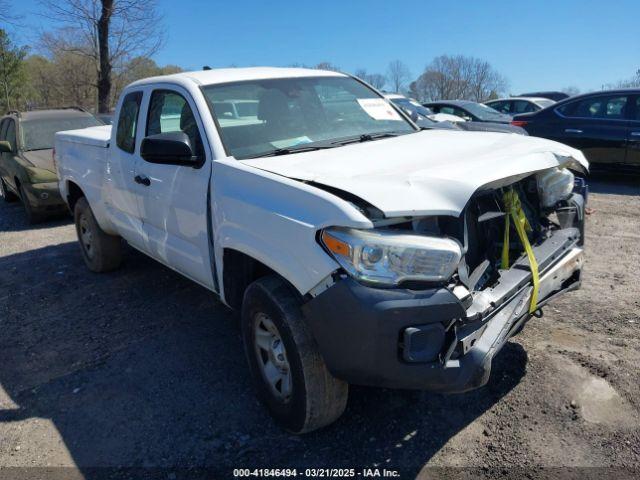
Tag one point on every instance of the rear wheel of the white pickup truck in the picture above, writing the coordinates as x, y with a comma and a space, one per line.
101, 252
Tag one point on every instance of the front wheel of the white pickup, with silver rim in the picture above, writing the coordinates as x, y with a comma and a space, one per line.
315, 398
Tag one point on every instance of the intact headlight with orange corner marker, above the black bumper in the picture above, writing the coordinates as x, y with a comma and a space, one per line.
389, 258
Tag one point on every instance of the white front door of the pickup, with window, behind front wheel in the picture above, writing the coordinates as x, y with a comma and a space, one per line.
174, 204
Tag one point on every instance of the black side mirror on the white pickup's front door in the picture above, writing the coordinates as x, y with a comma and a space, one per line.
172, 148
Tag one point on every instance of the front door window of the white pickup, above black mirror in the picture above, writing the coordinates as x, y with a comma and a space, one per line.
170, 112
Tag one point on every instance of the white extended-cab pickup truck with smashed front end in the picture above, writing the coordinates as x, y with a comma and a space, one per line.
357, 247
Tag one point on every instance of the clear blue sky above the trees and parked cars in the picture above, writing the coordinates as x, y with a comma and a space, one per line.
540, 44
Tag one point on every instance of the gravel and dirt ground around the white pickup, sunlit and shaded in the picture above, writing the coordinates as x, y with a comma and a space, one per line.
143, 368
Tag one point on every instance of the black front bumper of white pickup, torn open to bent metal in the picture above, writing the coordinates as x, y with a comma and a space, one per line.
363, 333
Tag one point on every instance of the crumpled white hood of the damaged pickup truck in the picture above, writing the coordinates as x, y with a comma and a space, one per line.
432, 172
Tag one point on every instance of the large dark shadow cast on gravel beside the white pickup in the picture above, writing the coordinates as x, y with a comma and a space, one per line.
141, 367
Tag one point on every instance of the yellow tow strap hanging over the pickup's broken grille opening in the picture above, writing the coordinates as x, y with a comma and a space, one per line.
514, 210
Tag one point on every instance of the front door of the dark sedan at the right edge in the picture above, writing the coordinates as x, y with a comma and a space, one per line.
597, 125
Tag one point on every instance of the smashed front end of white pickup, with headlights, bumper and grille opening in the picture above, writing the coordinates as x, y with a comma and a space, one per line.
436, 327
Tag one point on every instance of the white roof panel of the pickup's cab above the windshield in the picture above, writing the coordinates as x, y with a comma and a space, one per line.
226, 75
